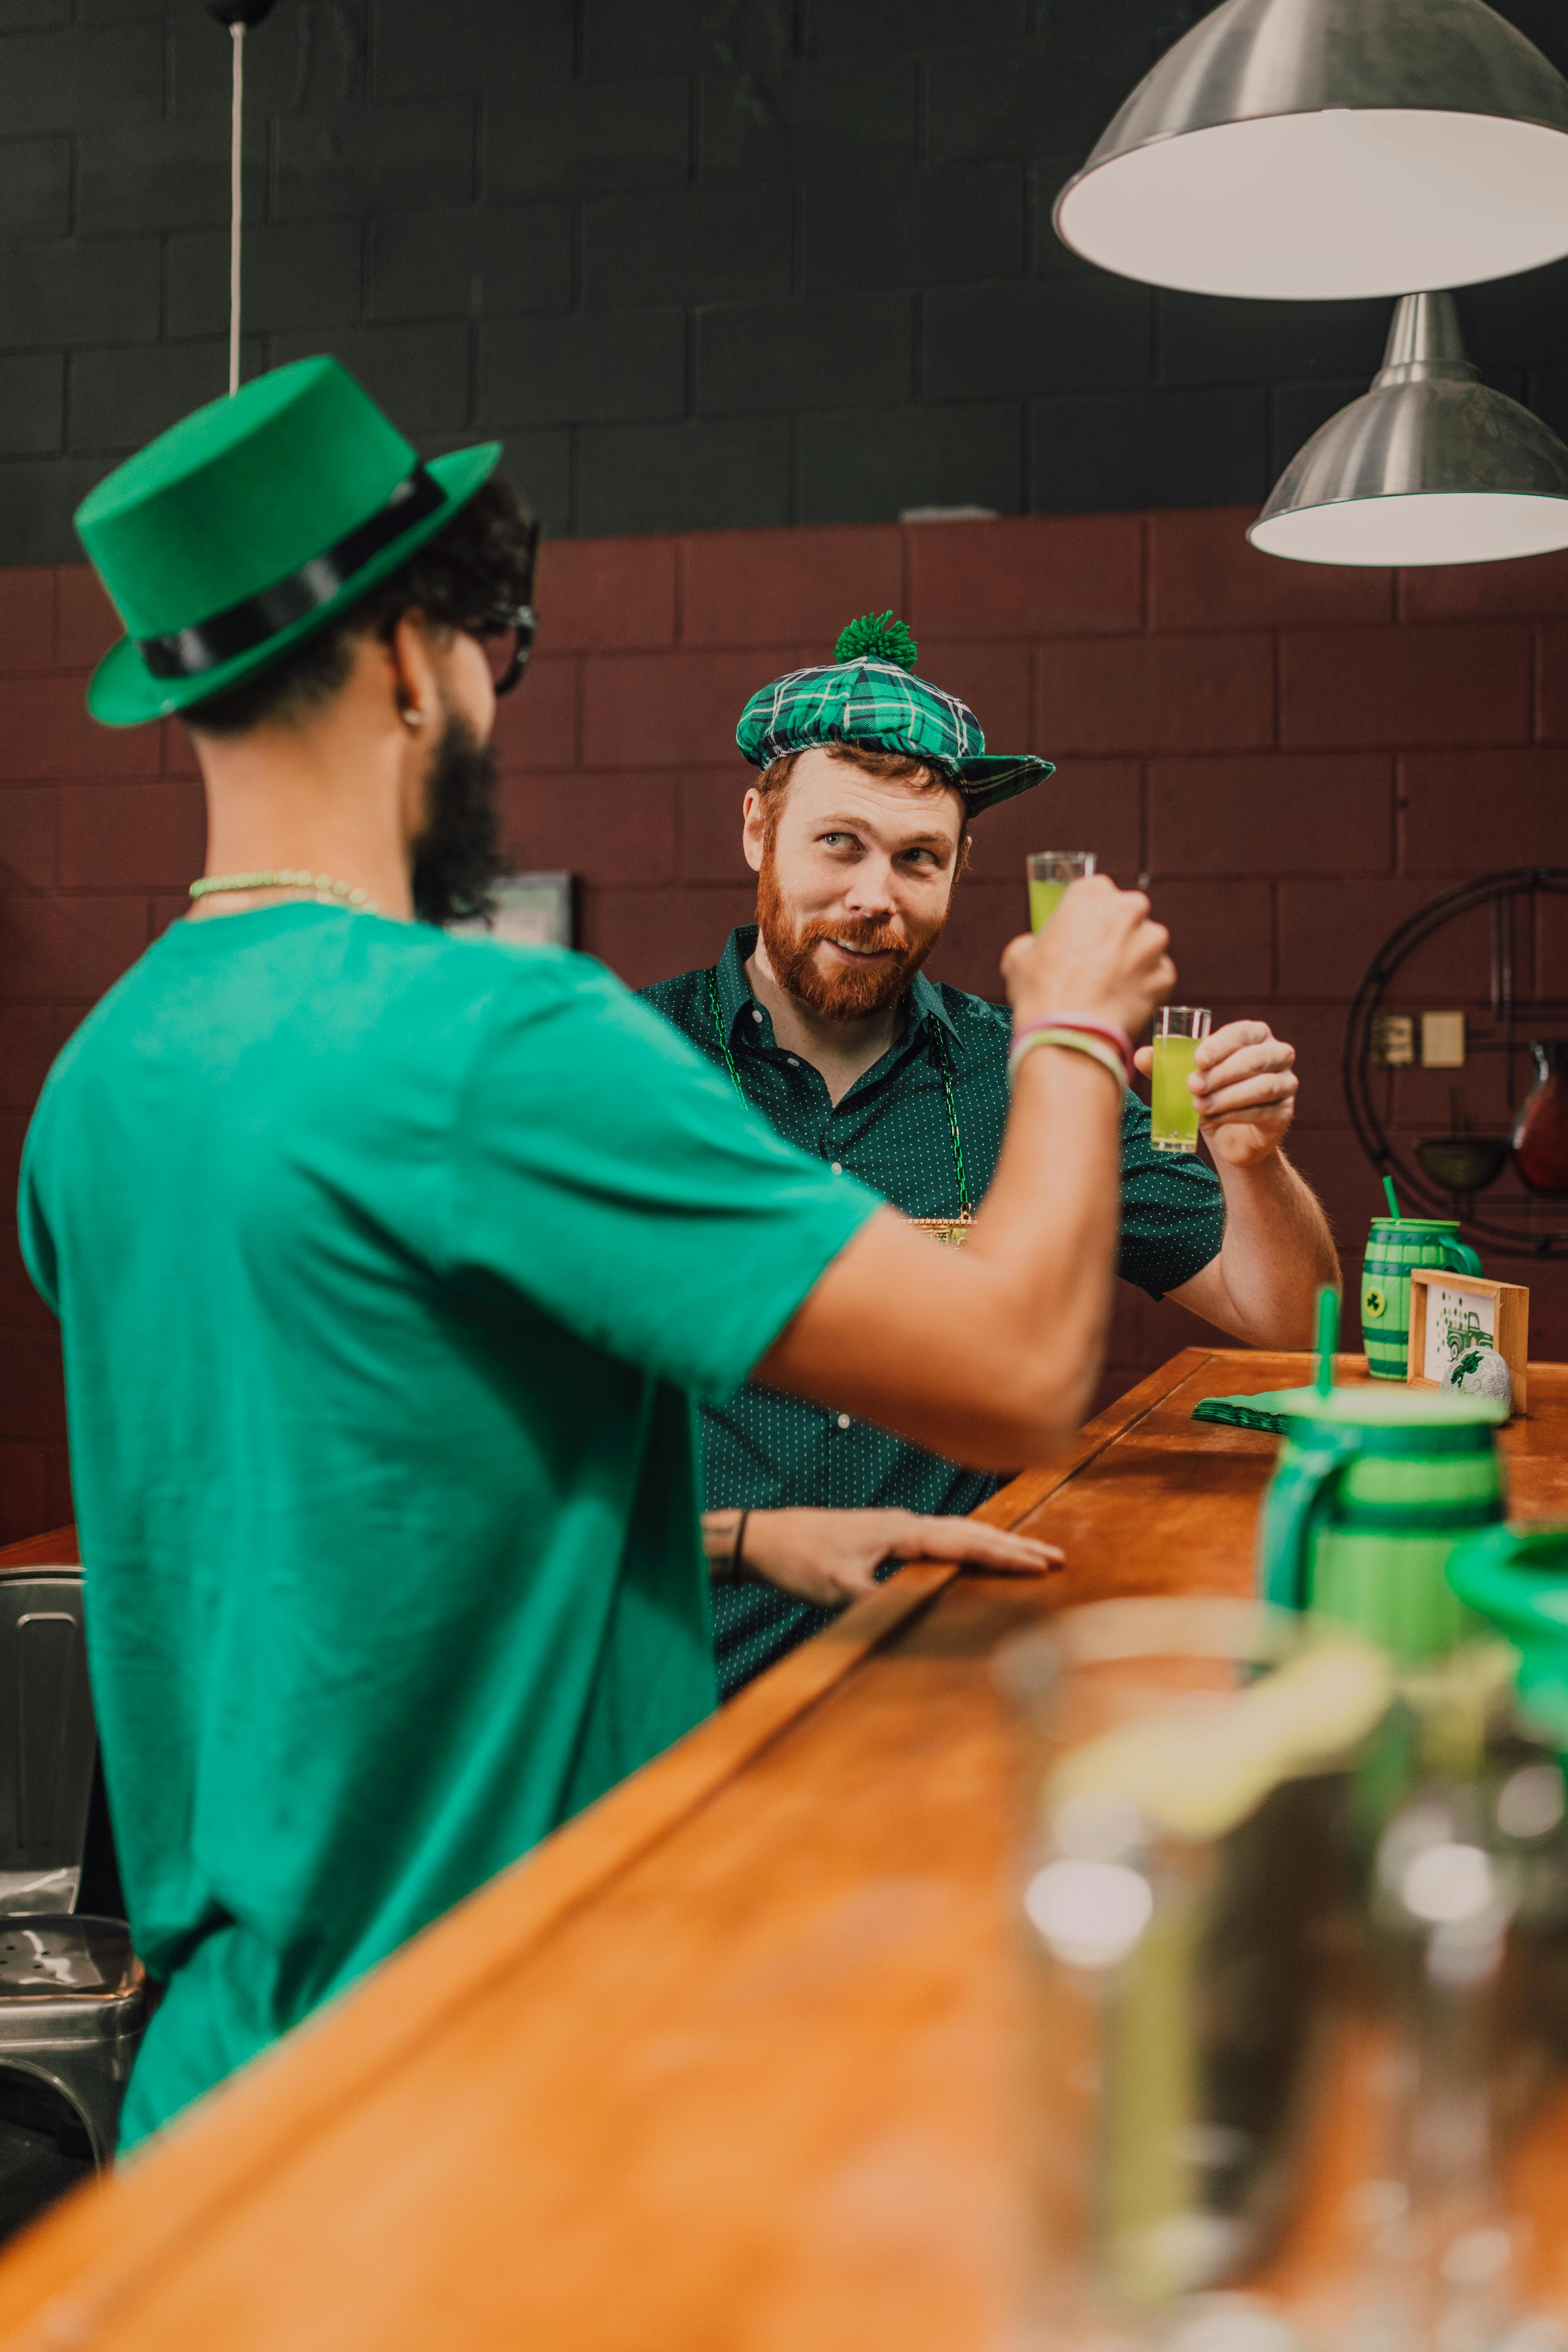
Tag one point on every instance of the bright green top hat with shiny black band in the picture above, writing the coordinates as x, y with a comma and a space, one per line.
250, 526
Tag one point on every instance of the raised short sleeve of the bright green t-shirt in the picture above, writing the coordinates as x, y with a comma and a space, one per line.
605, 1170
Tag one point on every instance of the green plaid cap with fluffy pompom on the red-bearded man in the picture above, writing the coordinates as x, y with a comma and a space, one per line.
871, 697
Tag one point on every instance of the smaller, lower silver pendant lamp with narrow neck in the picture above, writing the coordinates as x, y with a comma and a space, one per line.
1426, 469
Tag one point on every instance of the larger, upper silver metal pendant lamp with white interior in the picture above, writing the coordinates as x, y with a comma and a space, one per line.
1325, 149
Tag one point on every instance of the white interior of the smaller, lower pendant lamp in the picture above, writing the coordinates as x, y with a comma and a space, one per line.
1433, 528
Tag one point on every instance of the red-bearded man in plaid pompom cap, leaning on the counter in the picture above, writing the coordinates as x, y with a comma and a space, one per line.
824, 1020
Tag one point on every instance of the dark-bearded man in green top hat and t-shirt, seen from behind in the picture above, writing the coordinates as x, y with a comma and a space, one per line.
389, 1264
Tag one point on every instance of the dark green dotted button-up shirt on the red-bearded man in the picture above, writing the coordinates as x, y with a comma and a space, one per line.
892, 1130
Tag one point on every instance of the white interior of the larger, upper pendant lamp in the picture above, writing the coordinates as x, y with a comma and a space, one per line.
1329, 206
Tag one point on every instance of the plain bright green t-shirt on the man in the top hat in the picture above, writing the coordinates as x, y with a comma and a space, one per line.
387, 1267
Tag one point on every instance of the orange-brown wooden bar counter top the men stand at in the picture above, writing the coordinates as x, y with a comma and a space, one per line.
723, 2066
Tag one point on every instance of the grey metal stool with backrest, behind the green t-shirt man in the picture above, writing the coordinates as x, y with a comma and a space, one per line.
72, 1991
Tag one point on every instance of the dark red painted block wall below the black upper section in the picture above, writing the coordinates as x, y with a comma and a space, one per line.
1294, 756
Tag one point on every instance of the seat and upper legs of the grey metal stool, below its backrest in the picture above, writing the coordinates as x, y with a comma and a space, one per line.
72, 2012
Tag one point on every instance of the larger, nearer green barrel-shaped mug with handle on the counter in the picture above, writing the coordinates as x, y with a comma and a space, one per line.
1372, 1495
